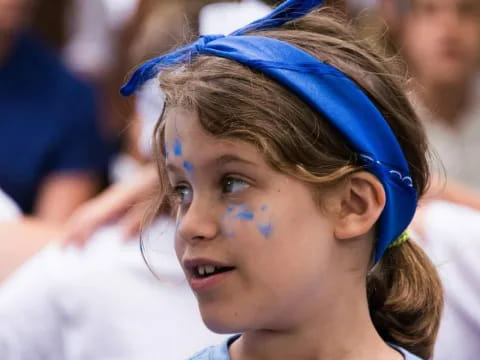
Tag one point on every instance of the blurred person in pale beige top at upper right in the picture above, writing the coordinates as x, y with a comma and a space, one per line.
440, 41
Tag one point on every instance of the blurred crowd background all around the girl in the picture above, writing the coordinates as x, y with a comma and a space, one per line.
76, 166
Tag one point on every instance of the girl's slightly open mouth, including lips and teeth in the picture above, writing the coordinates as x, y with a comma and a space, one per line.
205, 274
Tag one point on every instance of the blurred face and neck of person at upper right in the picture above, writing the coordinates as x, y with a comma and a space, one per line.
441, 42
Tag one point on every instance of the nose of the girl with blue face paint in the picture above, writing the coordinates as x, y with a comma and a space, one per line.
200, 221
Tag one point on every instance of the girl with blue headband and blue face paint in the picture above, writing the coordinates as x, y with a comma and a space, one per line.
294, 163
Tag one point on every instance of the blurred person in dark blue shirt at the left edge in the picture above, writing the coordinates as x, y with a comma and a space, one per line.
52, 152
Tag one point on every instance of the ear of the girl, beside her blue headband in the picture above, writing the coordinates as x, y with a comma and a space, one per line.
361, 202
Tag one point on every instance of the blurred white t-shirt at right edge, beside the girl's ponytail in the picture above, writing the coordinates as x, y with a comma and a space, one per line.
452, 240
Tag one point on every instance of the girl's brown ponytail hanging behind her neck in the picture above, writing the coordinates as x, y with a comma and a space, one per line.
405, 299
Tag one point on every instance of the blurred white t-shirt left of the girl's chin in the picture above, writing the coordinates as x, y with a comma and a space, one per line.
101, 303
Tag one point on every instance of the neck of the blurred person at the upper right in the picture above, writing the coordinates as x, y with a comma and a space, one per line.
446, 102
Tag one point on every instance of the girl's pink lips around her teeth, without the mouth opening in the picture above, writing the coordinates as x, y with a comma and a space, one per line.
202, 284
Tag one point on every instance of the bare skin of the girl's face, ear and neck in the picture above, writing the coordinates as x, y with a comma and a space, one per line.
298, 292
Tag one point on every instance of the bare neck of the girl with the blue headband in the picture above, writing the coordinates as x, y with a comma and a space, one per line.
344, 332
